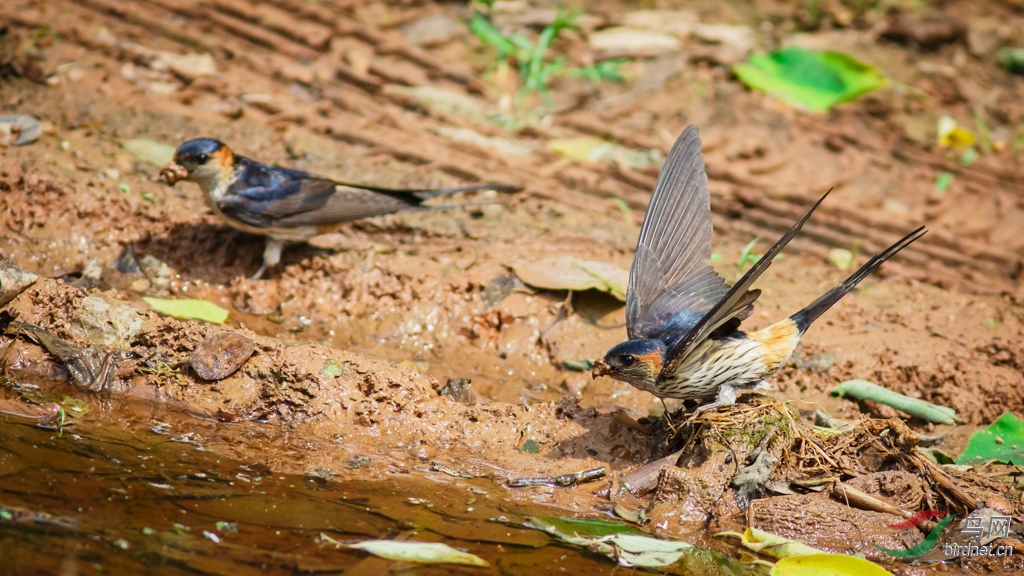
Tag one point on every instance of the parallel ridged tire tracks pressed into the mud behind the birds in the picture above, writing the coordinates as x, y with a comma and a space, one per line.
268, 47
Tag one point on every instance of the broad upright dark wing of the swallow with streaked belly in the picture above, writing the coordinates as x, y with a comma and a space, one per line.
672, 283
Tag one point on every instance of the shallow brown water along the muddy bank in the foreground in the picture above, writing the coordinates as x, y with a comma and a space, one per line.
103, 499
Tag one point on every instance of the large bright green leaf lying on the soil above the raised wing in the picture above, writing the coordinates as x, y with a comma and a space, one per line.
818, 80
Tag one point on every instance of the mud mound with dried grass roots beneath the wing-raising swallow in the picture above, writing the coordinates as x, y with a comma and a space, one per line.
755, 465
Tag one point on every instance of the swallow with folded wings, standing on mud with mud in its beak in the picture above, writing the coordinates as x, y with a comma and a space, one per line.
283, 204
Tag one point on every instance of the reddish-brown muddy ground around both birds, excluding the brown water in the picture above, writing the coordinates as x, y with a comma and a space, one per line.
403, 304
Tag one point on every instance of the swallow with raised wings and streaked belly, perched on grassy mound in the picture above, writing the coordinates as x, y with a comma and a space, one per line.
684, 320
